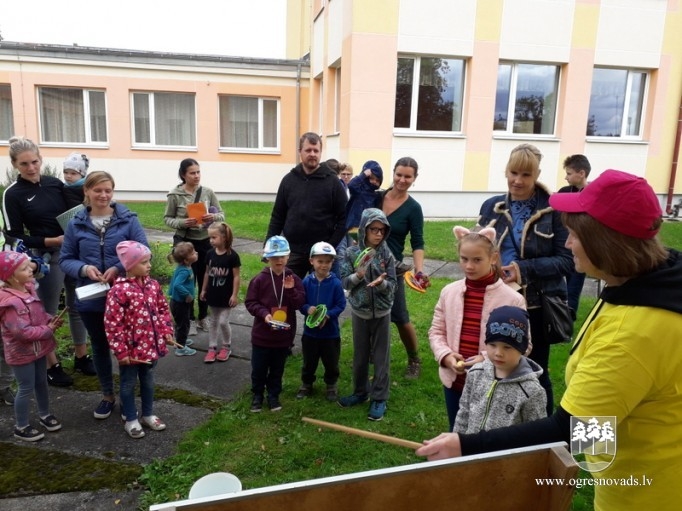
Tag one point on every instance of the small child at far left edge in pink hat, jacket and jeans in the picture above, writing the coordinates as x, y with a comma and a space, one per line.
28, 336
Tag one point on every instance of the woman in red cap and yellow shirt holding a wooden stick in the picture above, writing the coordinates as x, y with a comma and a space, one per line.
626, 361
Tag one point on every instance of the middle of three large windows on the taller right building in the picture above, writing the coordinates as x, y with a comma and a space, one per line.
527, 94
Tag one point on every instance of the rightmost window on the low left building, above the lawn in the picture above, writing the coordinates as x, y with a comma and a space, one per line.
249, 123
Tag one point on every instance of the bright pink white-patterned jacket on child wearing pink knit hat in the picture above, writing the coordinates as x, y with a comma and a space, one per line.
136, 319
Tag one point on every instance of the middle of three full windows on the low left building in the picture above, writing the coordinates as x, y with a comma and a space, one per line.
164, 119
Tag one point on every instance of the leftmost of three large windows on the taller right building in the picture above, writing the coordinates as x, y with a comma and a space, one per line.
433, 102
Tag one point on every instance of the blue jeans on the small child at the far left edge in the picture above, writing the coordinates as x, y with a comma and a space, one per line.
31, 380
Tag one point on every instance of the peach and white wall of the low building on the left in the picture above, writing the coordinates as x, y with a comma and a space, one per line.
150, 172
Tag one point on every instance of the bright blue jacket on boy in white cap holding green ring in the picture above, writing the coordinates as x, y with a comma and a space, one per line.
330, 293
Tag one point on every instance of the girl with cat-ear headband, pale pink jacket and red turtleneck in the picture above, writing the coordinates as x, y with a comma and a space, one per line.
457, 333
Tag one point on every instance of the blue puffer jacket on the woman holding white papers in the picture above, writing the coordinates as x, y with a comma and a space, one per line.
85, 245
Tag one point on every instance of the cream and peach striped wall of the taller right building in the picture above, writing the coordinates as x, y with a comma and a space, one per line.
459, 169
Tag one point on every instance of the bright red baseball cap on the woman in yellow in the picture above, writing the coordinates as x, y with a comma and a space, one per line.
624, 202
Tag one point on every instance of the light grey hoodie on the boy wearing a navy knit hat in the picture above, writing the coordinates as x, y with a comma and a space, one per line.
488, 403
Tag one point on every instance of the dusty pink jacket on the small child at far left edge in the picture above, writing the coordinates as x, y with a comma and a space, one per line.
23, 321
